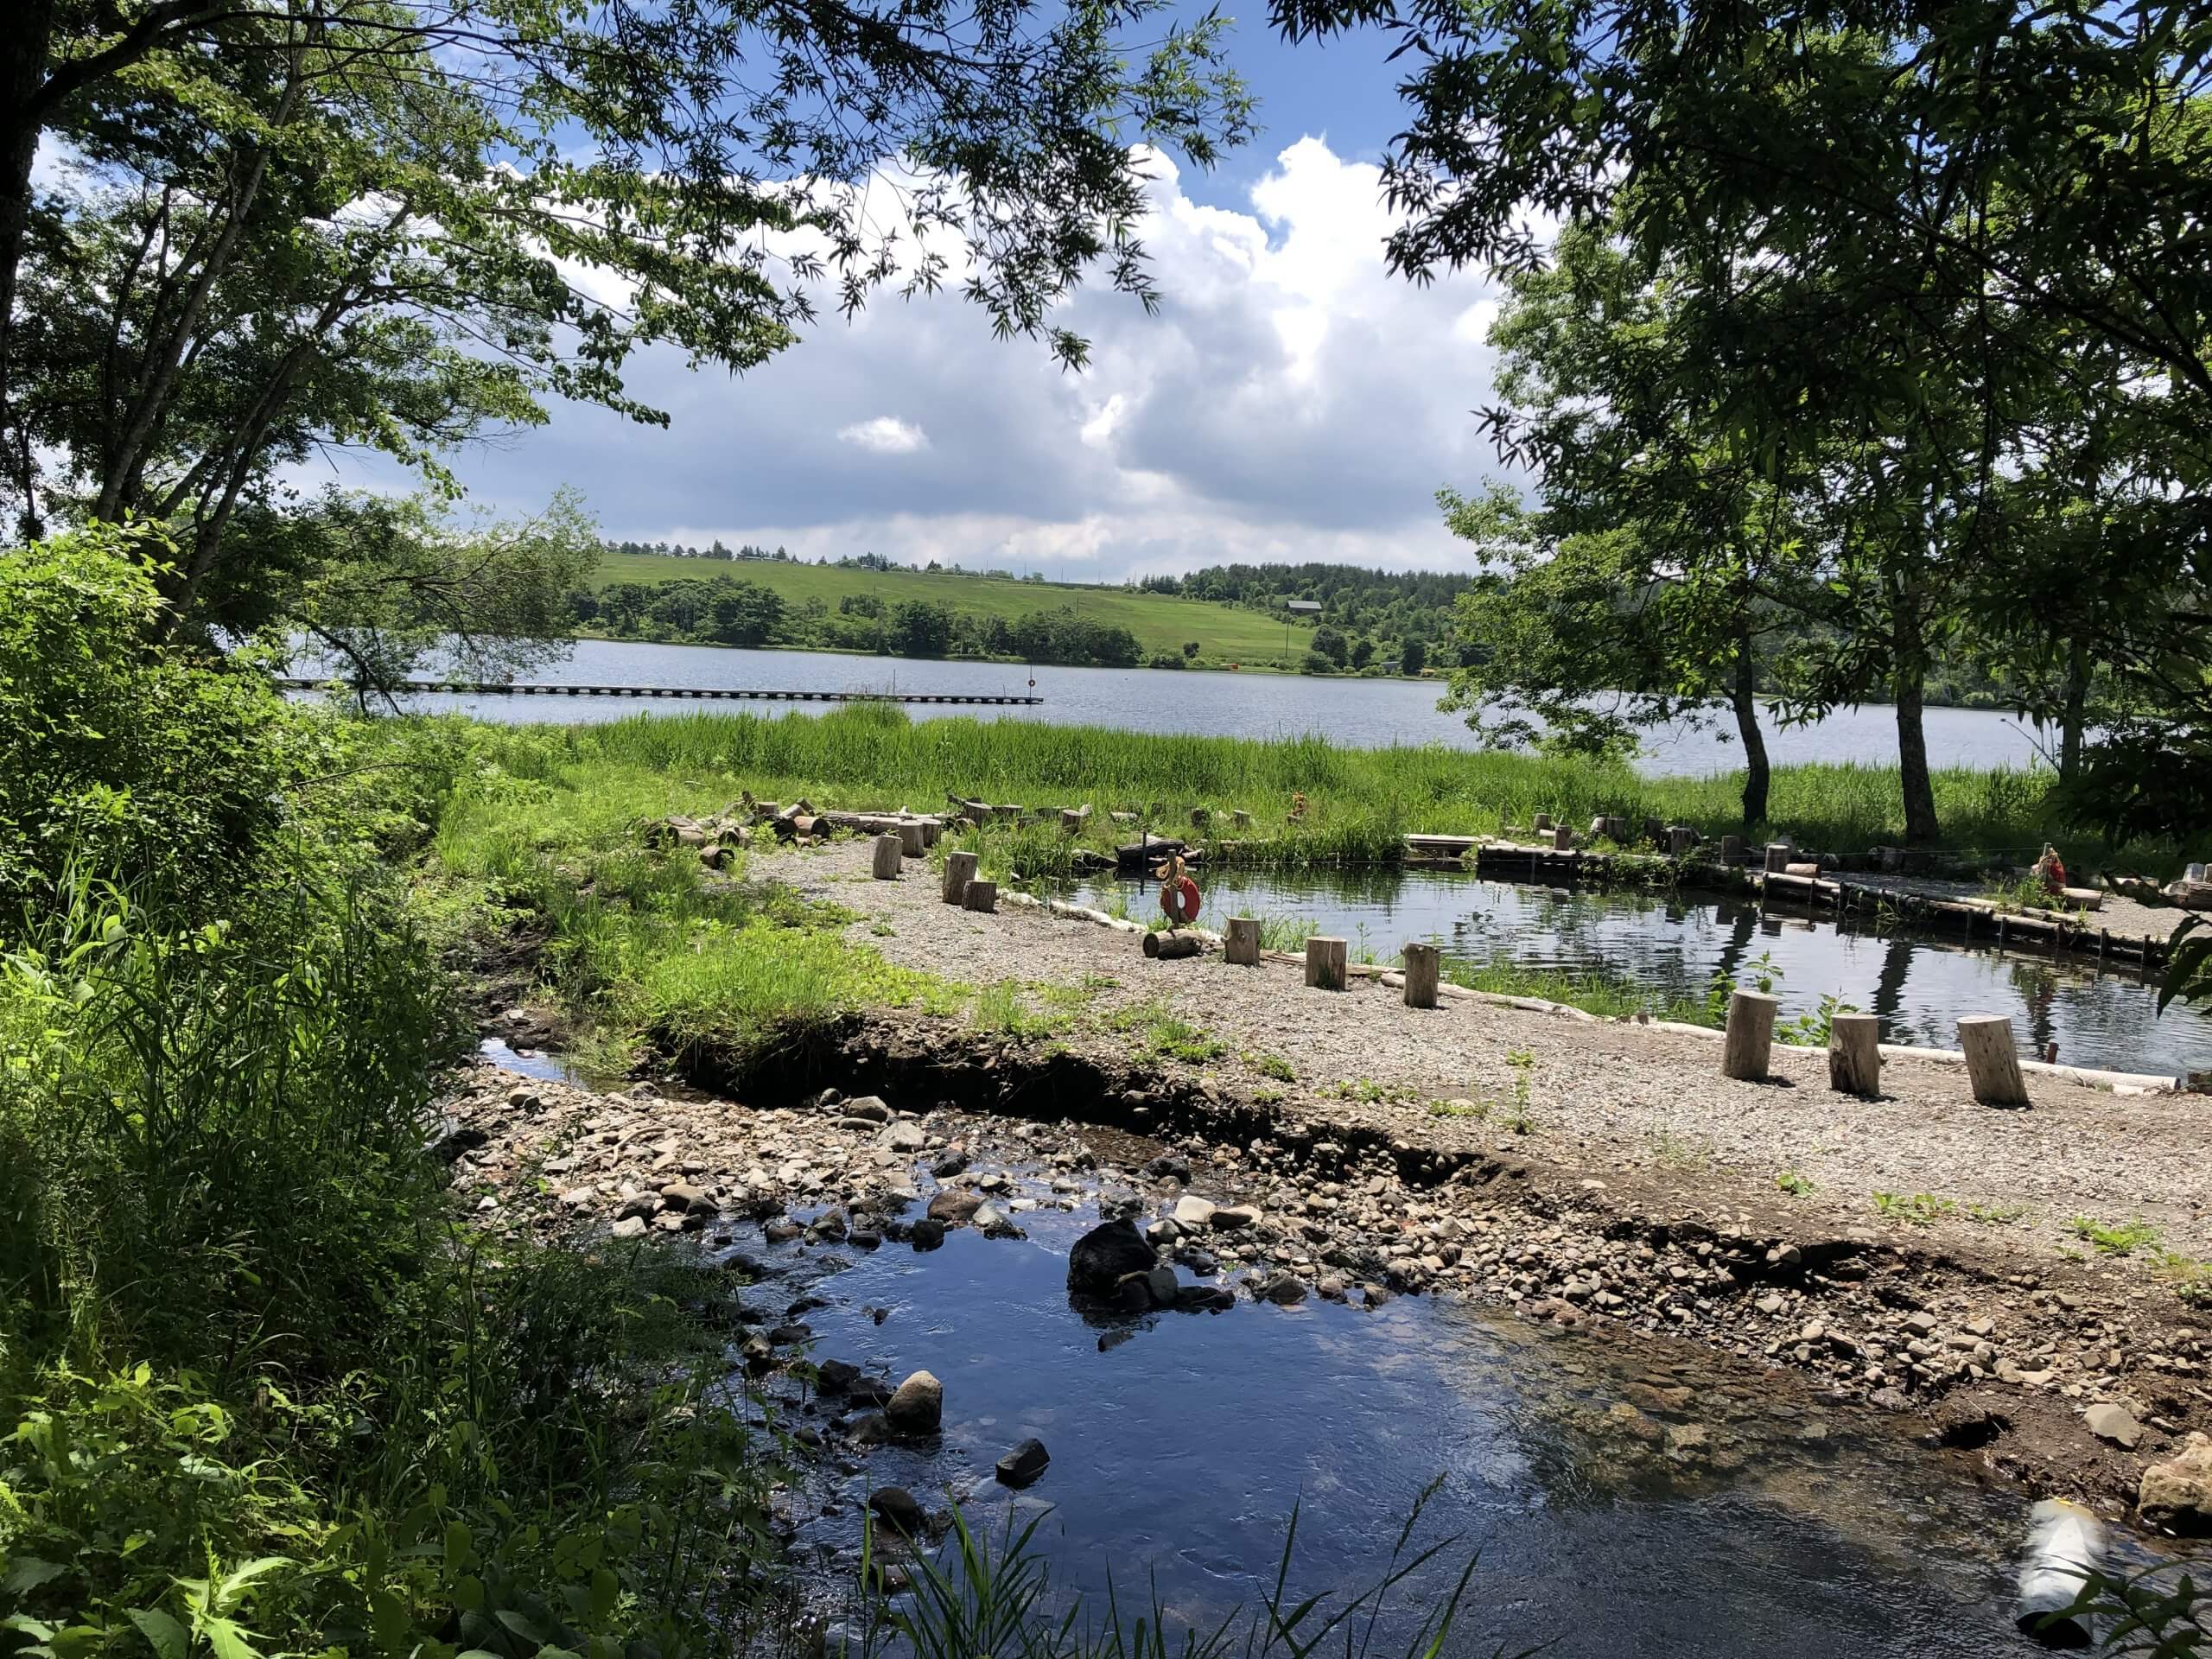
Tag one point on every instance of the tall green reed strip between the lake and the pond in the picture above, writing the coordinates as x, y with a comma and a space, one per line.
1359, 804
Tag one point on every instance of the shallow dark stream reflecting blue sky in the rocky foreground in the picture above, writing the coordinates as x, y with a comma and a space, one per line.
1180, 1443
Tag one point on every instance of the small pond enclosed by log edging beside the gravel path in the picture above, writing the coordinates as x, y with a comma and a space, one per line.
1673, 946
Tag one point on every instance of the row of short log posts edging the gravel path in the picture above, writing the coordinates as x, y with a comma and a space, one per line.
1855, 1045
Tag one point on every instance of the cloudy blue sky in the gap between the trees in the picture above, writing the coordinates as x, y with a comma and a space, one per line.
1288, 404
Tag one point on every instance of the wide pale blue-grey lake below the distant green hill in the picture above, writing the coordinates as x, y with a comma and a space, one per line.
1357, 713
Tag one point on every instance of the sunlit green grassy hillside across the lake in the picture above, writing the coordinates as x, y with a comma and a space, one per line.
1160, 623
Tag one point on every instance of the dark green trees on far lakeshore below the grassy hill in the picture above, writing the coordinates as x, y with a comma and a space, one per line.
731, 612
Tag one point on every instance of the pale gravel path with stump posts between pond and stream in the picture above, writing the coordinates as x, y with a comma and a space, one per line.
1607, 1098
